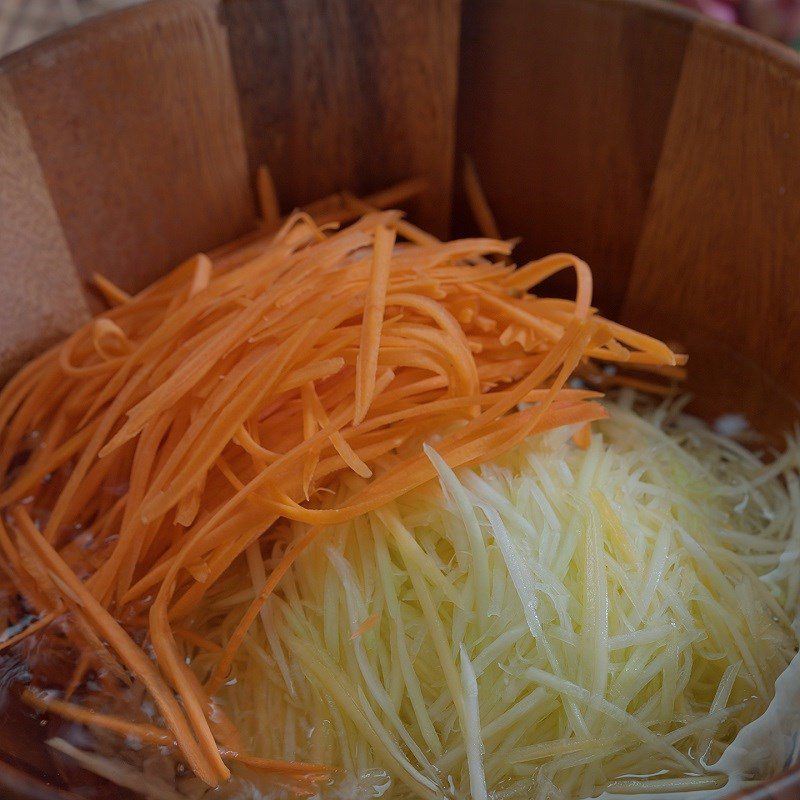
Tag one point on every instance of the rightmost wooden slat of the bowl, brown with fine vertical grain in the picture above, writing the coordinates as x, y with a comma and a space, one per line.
718, 265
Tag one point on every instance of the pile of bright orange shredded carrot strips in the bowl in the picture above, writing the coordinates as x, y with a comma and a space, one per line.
164, 439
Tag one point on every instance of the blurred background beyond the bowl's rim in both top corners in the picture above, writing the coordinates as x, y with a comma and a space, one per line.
23, 21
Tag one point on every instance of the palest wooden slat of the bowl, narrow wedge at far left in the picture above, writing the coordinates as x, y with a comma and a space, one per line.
41, 299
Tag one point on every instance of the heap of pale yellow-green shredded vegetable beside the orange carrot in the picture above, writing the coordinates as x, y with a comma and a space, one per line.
554, 624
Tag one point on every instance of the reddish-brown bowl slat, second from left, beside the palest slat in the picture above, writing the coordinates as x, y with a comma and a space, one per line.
135, 122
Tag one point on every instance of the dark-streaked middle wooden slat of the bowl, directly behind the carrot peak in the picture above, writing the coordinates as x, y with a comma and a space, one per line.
353, 94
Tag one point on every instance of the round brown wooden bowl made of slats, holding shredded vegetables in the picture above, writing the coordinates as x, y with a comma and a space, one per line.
661, 147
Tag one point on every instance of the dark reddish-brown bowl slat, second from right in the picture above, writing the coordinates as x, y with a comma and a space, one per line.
563, 109
